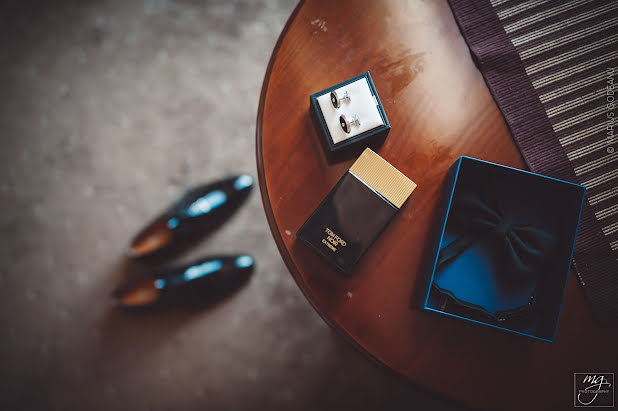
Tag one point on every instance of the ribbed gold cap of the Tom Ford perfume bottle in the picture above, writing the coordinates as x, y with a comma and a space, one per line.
385, 179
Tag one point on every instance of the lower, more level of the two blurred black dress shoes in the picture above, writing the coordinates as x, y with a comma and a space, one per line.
200, 283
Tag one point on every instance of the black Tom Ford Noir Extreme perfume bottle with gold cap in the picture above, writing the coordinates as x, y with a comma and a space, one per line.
356, 211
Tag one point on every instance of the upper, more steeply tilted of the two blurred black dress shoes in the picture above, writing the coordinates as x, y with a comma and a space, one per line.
199, 211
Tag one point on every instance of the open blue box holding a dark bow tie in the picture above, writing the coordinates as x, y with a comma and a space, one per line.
503, 248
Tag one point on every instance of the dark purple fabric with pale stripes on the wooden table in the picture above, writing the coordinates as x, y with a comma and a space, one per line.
551, 66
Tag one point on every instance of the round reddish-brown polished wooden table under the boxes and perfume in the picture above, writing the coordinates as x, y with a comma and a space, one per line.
439, 108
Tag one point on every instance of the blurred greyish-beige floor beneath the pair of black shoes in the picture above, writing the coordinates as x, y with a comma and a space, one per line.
110, 110
